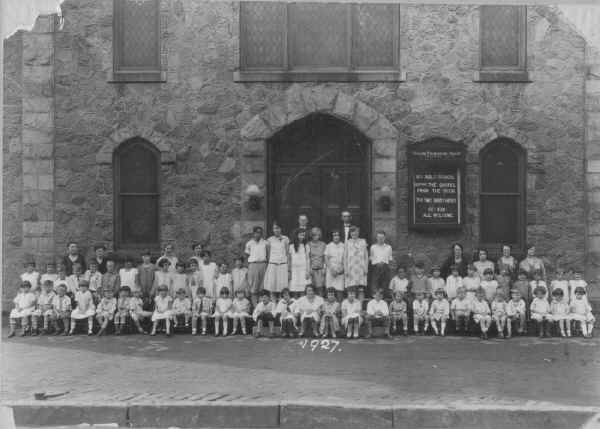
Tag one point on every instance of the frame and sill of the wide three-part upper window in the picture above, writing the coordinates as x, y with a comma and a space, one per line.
349, 73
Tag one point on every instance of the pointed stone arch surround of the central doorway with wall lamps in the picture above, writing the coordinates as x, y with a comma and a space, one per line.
298, 102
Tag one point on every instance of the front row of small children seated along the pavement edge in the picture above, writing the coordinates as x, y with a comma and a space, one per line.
309, 314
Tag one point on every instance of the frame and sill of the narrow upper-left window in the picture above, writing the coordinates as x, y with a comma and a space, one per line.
134, 74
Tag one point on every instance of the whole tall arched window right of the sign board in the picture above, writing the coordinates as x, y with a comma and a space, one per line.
502, 196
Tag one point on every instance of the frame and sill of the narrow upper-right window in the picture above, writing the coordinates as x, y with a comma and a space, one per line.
505, 73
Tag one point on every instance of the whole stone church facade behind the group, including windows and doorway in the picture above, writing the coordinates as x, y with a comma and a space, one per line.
198, 125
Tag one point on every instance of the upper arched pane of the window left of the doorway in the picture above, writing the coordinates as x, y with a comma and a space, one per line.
138, 170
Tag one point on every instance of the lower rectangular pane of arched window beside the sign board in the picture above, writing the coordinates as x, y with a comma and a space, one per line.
499, 219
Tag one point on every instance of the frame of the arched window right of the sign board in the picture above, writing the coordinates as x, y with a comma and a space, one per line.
521, 154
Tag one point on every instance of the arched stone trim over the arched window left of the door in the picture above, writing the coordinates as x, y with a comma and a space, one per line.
105, 155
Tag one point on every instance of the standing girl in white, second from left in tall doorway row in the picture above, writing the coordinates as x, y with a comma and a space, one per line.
276, 276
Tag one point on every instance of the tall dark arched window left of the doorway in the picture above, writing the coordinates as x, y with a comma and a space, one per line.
136, 168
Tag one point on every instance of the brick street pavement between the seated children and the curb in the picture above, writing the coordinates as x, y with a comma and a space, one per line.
414, 370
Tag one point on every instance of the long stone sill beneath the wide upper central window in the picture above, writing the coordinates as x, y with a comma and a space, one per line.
320, 76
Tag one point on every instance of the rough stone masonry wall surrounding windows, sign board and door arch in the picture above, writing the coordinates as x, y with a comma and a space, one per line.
196, 118
